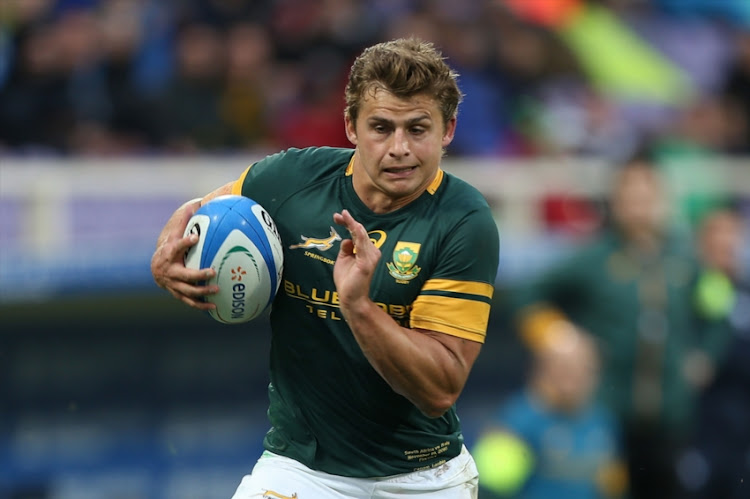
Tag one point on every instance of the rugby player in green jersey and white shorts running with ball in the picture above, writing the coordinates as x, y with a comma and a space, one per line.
376, 328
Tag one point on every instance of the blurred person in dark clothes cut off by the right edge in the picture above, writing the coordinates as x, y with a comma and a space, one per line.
720, 465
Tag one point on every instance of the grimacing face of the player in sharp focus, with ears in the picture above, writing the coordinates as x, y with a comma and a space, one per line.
399, 147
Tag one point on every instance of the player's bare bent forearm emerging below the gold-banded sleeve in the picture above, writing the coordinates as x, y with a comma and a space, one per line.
415, 363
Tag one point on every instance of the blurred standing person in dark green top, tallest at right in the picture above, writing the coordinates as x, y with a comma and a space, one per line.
632, 289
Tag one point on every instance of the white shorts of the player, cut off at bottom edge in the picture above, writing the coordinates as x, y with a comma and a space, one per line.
278, 477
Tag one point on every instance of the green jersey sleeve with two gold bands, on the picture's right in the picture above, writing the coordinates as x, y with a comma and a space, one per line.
456, 299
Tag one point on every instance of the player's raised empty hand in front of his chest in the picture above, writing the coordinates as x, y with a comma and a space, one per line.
355, 263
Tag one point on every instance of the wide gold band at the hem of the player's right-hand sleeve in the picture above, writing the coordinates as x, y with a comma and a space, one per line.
454, 316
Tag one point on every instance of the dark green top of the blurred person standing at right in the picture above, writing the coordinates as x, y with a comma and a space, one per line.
638, 309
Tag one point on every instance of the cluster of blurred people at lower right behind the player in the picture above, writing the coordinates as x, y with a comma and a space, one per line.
639, 344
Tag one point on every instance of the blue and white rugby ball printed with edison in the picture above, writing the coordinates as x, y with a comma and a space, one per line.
239, 240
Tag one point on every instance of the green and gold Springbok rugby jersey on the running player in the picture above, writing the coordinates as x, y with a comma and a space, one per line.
329, 408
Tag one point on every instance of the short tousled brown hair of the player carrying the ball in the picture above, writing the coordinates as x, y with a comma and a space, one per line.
405, 67
